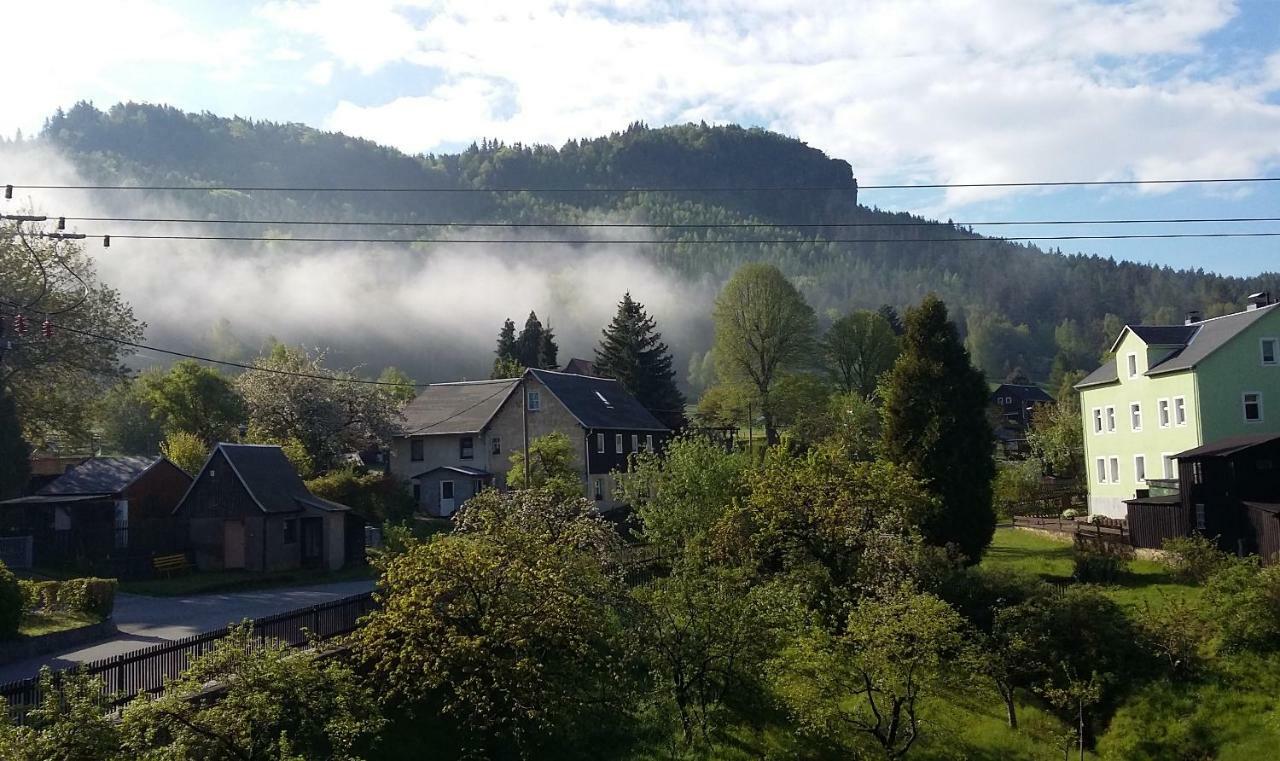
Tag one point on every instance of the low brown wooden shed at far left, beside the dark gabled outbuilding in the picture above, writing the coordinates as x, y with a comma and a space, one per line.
107, 515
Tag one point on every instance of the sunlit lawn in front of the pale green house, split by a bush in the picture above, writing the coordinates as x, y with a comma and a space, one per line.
1031, 553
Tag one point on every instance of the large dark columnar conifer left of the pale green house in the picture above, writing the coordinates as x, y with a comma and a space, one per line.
935, 419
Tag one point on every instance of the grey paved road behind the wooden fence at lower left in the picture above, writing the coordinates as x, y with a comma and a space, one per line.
147, 621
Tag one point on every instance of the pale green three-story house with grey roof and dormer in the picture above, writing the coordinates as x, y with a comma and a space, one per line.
1172, 388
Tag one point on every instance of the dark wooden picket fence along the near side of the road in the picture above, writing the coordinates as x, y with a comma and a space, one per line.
147, 671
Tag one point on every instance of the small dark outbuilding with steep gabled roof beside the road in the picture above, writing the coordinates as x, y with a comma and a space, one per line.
250, 510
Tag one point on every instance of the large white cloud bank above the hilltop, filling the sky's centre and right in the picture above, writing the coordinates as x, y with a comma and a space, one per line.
957, 91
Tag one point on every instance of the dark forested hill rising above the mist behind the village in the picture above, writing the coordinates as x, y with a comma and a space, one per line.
1021, 306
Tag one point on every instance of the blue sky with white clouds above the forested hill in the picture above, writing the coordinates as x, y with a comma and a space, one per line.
906, 91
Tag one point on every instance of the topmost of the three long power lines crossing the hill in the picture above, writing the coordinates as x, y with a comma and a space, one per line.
657, 189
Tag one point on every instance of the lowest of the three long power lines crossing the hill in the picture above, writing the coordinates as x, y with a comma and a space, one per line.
976, 239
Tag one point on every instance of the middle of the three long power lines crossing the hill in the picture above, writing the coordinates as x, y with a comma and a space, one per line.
664, 226
